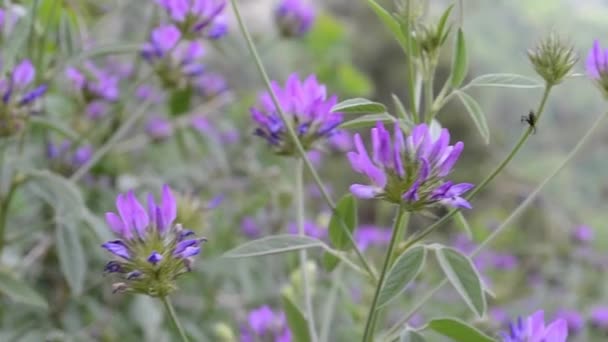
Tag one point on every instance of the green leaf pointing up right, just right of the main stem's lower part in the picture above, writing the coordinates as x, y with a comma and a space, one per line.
405, 269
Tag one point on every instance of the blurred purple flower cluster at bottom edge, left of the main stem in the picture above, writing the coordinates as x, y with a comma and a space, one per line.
266, 325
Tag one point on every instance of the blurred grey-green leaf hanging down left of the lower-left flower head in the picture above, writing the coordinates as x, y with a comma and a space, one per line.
72, 259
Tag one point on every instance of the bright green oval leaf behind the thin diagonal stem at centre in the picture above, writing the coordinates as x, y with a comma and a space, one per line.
346, 213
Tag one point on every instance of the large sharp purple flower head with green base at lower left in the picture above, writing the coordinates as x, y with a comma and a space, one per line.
151, 250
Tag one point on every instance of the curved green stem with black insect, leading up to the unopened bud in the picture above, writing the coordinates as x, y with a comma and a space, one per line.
488, 178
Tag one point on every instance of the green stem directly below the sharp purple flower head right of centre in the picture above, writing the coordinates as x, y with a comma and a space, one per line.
400, 220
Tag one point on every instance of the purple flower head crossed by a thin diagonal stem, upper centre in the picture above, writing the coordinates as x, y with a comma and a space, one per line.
308, 110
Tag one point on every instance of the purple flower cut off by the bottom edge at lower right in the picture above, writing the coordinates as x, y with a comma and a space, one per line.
533, 329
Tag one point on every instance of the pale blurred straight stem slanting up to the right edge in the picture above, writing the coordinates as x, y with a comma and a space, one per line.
515, 214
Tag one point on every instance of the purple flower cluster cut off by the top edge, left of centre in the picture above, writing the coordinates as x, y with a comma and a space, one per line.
197, 18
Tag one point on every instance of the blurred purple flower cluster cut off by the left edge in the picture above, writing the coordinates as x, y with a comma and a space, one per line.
18, 94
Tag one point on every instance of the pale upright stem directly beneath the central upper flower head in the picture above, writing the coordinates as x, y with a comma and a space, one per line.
300, 213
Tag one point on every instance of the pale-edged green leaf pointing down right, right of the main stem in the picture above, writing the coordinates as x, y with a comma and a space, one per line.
461, 273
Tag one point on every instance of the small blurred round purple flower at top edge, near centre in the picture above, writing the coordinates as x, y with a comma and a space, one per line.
294, 17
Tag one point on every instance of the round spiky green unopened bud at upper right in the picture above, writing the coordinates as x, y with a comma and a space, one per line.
553, 58
